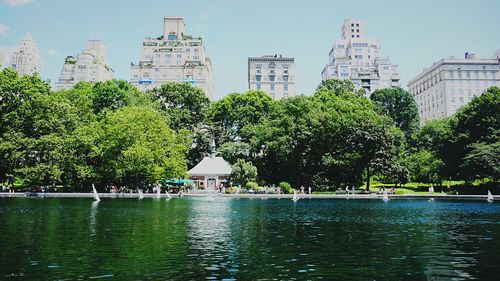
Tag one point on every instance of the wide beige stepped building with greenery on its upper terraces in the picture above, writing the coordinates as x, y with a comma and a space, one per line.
174, 56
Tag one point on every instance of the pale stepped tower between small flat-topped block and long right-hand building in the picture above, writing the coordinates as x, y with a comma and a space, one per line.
358, 59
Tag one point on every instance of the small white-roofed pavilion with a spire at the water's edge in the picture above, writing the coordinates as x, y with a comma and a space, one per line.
211, 171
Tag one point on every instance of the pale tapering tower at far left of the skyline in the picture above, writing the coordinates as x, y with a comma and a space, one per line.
26, 58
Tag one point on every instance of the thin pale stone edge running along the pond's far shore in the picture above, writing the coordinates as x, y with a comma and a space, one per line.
251, 196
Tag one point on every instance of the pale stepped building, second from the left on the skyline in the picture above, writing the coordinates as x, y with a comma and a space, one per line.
90, 65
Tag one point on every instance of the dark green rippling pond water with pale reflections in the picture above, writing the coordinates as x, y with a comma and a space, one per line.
248, 239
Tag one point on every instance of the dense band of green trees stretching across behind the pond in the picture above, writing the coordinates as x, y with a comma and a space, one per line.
109, 133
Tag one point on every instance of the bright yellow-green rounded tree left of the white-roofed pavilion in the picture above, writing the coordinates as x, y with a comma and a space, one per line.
135, 146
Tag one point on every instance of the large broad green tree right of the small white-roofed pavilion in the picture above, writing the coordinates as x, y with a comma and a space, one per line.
327, 140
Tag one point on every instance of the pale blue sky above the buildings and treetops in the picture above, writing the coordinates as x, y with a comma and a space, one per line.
413, 34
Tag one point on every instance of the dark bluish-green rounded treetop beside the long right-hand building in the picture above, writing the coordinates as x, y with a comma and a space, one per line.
400, 106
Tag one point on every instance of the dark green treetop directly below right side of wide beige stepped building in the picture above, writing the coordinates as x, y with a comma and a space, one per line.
185, 105
